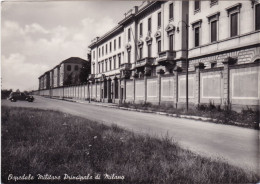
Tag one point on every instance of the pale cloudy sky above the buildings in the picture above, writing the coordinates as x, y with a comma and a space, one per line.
38, 35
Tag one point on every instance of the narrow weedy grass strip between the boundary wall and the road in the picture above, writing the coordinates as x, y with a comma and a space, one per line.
248, 117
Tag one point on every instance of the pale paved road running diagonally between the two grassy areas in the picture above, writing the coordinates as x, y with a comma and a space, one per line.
239, 146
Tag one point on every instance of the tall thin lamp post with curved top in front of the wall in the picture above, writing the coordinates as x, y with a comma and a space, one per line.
187, 62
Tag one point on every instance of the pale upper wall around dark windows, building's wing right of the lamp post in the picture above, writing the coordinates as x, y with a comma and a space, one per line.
246, 27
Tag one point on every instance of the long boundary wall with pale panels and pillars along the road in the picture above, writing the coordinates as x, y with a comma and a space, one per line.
236, 85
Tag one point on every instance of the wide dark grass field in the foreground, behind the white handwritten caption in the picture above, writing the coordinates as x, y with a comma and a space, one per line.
48, 142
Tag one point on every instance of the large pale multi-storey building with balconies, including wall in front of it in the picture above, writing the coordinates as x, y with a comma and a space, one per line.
143, 59
